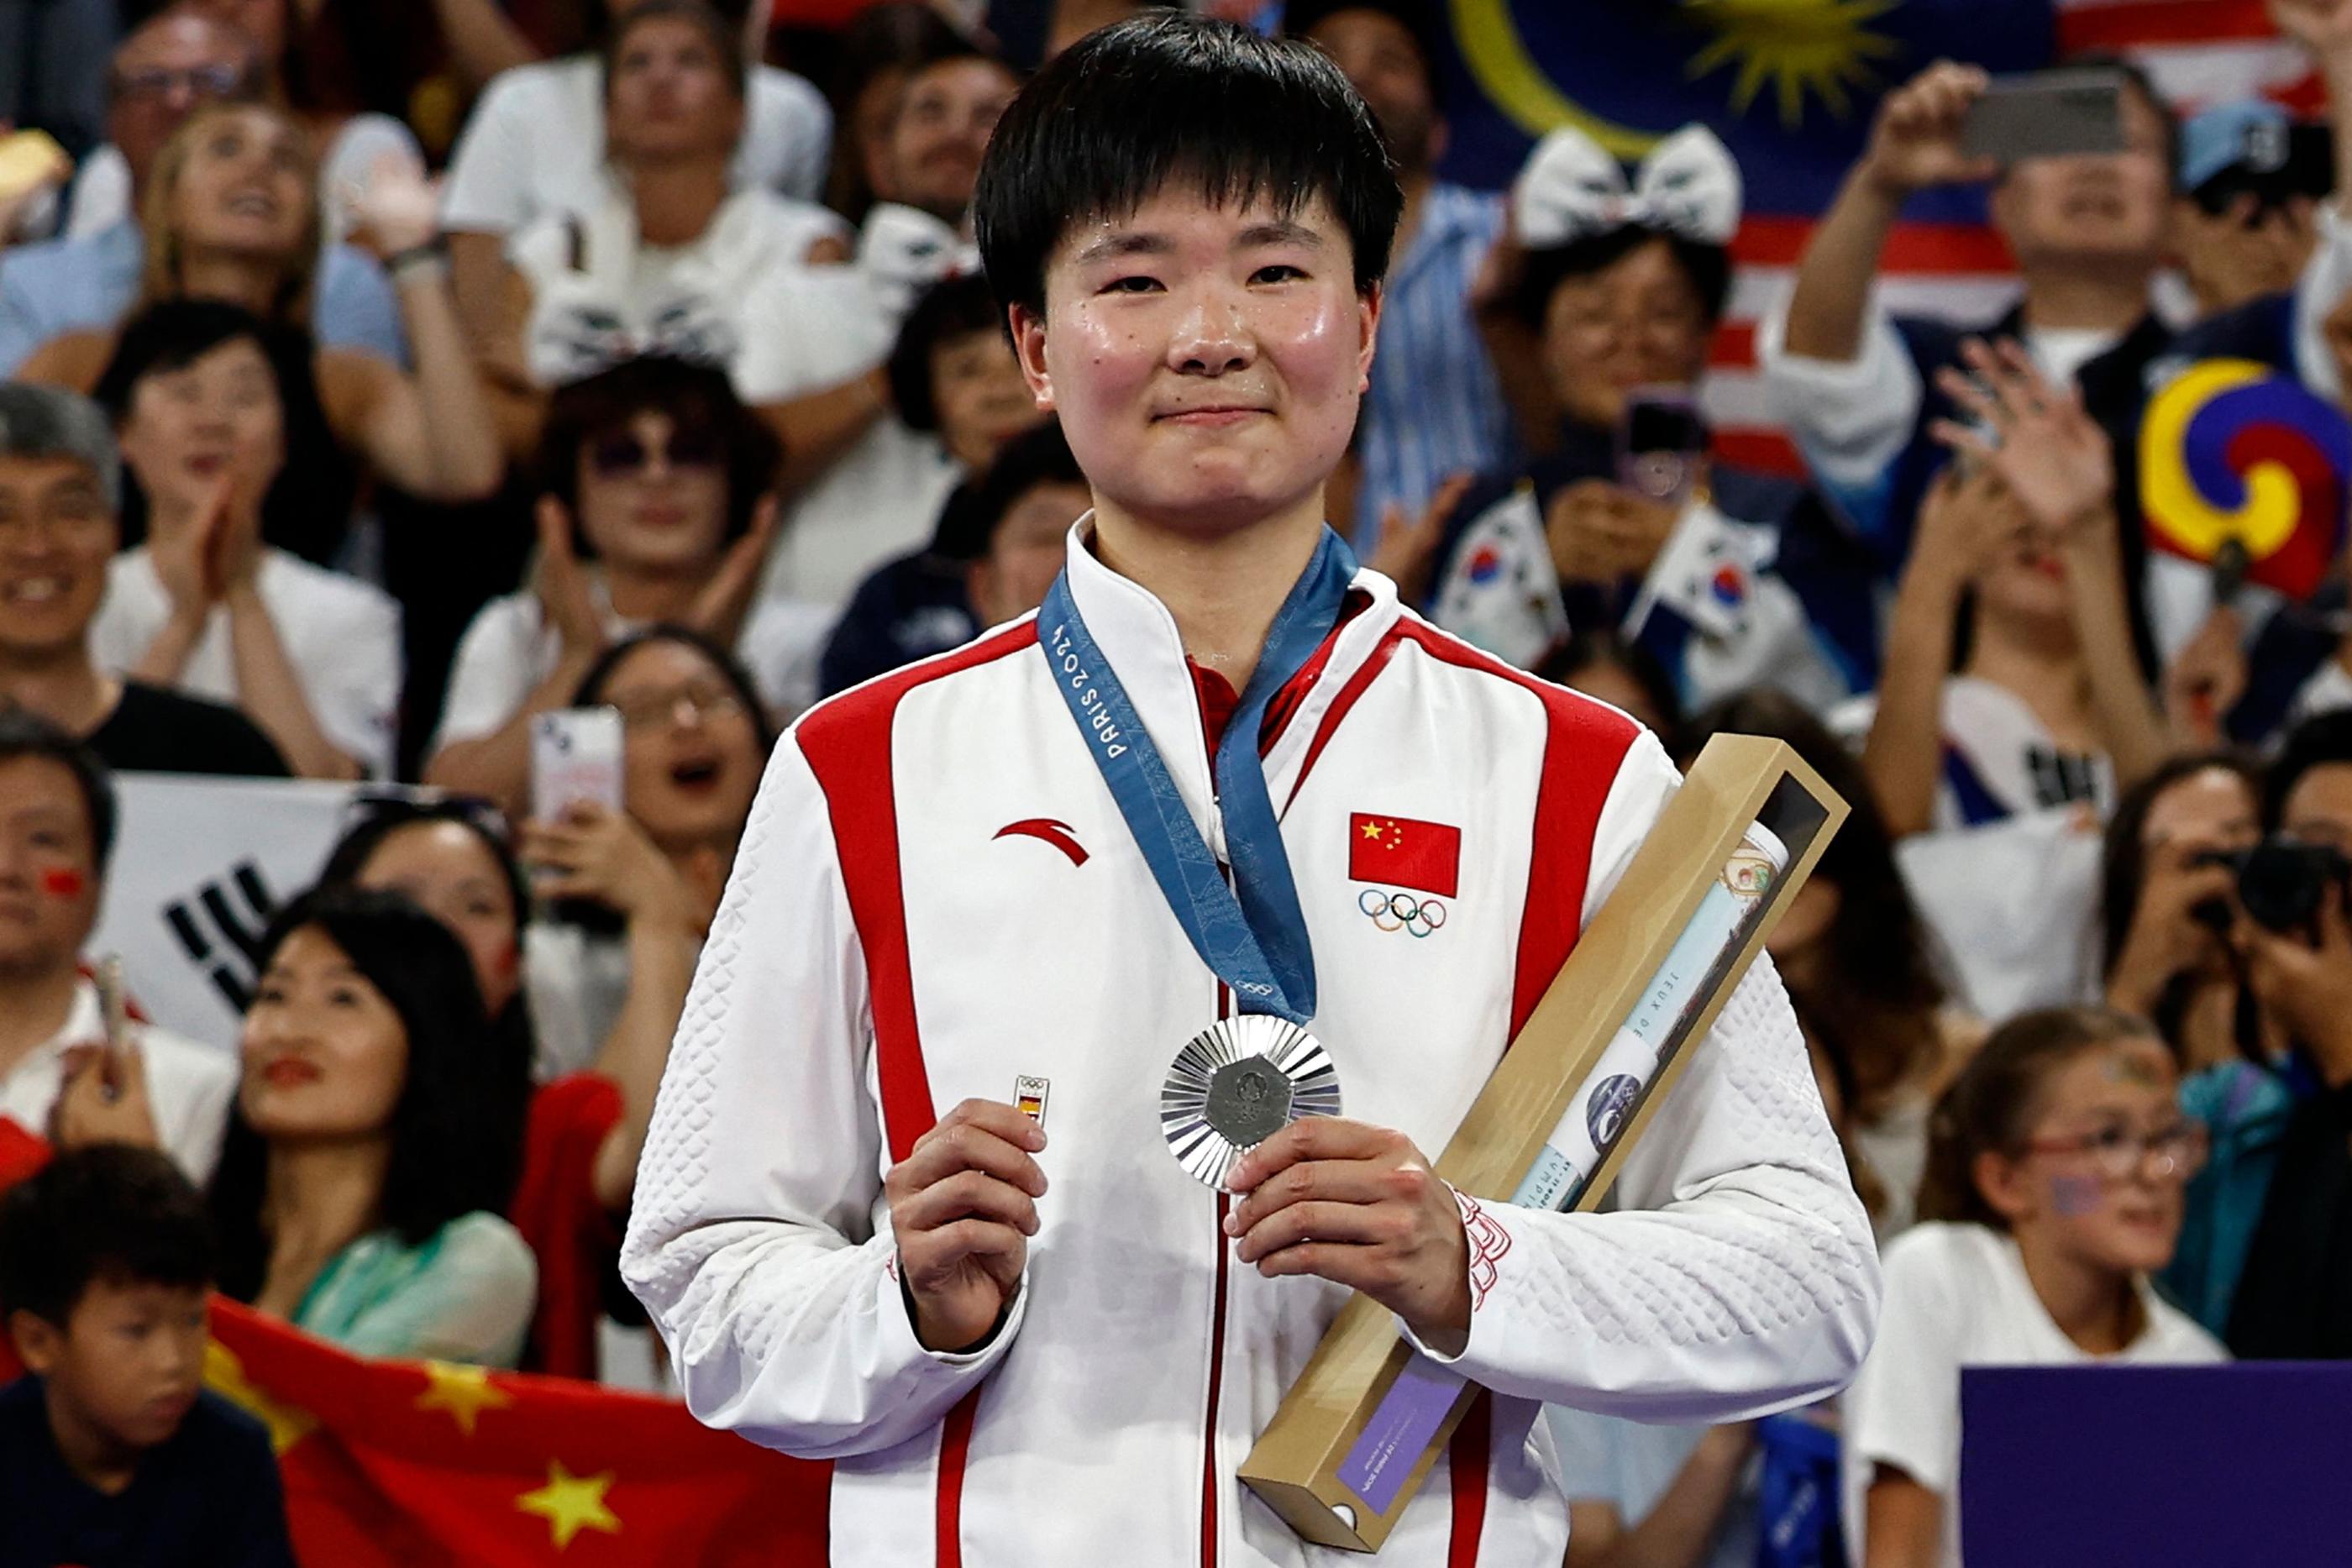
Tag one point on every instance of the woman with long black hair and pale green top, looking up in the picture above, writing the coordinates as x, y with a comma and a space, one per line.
375, 1141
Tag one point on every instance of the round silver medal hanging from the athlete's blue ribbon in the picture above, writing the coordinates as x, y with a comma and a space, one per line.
1241, 1083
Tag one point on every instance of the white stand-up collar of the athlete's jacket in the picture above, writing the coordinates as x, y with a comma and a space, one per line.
1142, 643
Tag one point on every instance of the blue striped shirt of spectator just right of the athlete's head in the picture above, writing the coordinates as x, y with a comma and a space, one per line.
1436, 406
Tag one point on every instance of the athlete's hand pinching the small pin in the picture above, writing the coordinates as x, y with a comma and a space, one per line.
963, 1207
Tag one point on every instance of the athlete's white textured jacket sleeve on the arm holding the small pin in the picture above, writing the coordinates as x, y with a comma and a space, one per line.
754, 1238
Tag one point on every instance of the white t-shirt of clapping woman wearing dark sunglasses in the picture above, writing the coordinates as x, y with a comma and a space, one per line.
509, 650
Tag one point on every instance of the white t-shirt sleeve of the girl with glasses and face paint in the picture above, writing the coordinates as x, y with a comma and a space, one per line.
1904, 1407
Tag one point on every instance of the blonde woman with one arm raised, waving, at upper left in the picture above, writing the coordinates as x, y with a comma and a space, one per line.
229, 215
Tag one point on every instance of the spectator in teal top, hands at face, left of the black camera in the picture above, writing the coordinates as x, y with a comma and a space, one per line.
2174, 958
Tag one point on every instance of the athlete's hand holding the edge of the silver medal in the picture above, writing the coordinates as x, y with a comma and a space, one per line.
1356, 1205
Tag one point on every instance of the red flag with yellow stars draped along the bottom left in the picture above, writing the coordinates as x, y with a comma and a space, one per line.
434, 1466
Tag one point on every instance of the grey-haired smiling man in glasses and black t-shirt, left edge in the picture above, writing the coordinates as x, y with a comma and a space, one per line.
60, 481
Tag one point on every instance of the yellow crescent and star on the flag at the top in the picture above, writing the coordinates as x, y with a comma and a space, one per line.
1798, 48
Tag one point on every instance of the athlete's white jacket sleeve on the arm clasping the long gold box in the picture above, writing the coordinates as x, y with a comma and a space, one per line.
1739, 1275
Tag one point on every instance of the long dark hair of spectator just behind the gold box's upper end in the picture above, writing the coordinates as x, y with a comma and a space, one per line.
1876, 1010
